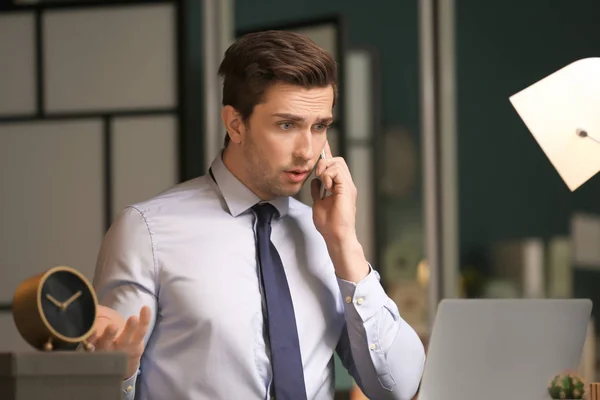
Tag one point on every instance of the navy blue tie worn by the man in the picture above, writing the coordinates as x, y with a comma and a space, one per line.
286, 361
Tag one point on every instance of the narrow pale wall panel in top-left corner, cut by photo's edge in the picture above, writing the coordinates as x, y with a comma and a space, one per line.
17, 64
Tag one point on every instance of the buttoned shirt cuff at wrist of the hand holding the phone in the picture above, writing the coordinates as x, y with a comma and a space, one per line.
367, 297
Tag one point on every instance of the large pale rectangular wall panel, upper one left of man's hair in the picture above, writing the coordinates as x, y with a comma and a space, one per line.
106, 59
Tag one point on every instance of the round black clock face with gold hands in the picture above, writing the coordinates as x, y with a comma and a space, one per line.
68, 304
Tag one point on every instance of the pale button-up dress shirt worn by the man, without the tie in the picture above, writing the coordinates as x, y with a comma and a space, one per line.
190, 254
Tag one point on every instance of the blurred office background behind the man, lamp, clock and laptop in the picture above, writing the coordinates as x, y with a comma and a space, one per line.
105, 103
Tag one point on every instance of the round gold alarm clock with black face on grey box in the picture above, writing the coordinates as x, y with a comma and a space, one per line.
55, 310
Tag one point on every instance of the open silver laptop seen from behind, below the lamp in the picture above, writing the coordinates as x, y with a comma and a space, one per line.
501, 349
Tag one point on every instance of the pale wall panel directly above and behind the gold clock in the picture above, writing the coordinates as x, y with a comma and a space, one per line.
52, 210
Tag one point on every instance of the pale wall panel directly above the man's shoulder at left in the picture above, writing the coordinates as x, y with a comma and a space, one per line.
144, 158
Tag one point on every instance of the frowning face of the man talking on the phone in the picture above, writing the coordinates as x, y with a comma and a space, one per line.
284, 137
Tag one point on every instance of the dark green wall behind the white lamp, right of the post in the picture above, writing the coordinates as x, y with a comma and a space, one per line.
508, 189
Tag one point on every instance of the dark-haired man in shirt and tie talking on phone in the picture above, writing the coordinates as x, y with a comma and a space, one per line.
244, 292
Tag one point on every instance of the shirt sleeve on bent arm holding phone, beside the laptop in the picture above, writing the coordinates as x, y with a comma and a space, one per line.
381, 351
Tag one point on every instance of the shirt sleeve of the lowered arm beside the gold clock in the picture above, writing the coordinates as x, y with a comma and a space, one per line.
125, 276
